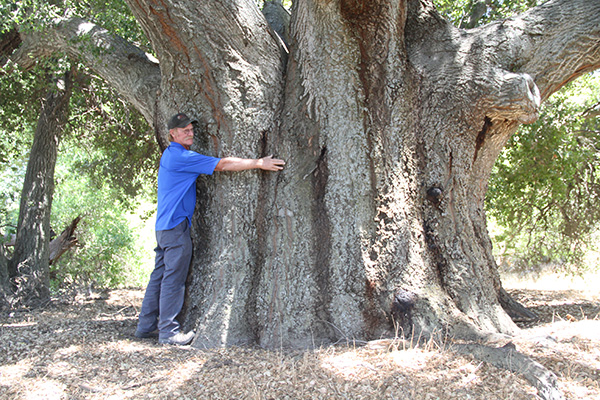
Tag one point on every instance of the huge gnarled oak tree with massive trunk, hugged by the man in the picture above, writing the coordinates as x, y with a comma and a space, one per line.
389, 118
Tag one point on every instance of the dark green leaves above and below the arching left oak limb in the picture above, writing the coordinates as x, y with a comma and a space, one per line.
100, 119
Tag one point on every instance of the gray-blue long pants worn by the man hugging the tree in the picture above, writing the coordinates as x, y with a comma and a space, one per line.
164, 295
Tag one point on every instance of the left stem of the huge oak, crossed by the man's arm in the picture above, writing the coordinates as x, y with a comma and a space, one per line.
237, 85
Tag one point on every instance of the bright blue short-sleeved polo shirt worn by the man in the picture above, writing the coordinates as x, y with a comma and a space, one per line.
177, 174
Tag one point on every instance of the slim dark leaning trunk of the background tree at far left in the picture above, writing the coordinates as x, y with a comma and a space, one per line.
29, 265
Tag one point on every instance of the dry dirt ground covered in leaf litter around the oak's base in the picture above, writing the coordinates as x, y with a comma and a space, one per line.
83, 349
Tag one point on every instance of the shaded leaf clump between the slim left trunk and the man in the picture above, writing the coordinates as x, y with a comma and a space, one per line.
127, 158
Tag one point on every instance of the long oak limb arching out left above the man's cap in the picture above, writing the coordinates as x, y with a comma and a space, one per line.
124, 66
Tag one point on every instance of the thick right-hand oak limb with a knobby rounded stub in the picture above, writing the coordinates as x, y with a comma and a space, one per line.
507, 68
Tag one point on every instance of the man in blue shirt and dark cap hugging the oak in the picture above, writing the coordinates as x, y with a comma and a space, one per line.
177, 174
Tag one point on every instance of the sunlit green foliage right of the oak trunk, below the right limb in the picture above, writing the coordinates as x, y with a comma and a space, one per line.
545, 189
